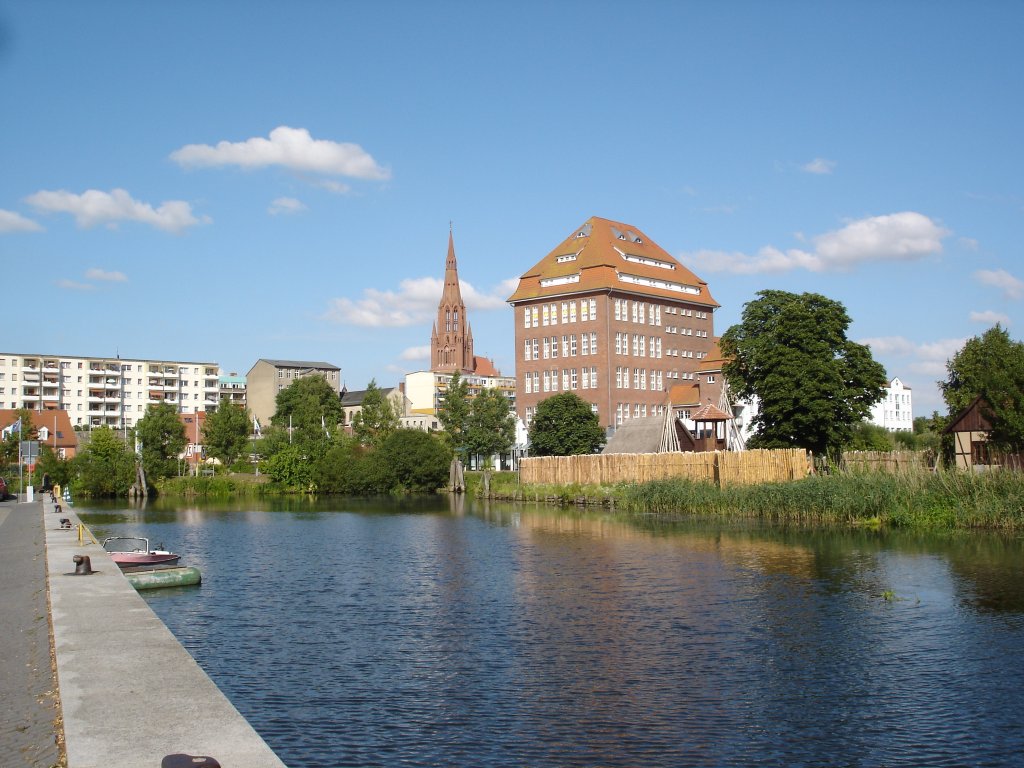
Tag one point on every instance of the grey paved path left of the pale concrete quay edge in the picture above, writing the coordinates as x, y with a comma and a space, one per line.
28, 709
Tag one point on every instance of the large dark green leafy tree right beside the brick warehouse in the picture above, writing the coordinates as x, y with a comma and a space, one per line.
815, 386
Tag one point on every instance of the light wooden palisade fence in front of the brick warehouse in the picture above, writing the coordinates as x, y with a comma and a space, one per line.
720, 467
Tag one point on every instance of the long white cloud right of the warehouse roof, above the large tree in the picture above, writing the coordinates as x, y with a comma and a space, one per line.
898, 237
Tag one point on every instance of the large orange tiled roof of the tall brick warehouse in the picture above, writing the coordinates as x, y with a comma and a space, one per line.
603, 250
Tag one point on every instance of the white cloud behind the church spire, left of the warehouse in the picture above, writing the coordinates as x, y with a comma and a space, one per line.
414, 304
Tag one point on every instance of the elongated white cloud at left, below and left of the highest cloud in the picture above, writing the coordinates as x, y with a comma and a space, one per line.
95, 207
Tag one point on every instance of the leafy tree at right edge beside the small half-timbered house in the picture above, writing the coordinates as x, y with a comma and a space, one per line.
991, 366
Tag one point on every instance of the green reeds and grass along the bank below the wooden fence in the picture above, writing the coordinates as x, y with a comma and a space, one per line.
944, 500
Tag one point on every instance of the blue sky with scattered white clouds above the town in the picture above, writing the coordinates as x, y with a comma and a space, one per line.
228, 182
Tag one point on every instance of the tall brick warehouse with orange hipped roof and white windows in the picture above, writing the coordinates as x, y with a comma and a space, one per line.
612, 317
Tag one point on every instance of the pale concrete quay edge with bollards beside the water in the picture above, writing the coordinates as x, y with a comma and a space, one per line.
132, 696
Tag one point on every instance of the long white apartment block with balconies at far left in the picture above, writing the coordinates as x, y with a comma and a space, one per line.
106, 392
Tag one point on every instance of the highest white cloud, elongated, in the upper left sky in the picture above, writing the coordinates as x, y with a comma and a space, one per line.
289, 148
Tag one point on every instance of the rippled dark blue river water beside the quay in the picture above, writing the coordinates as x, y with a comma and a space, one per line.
422, 633
